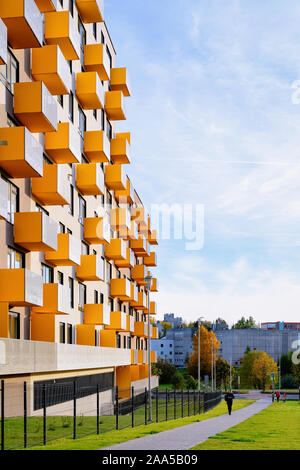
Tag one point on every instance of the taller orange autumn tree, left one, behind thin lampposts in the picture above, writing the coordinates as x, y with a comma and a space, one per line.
205, 352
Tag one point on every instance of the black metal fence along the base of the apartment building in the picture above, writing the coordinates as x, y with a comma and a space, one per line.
78, 412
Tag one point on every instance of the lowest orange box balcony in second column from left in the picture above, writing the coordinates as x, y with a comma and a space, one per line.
55, 300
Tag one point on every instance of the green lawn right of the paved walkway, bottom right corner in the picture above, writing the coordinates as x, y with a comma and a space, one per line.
275, 428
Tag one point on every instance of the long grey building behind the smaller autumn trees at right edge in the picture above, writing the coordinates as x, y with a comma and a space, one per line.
233, 343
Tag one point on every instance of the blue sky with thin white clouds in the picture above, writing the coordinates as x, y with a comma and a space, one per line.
214, 122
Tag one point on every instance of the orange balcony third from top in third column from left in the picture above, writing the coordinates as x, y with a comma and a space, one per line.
89, 90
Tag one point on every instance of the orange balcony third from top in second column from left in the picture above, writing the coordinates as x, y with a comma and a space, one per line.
63, 146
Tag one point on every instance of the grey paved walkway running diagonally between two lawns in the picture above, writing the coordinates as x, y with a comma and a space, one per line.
188, 436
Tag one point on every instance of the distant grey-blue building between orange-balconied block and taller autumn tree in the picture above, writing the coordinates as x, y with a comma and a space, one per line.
177, 340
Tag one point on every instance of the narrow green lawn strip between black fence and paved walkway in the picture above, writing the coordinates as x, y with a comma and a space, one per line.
94, 441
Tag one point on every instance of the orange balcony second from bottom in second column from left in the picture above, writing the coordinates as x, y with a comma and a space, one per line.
68, 251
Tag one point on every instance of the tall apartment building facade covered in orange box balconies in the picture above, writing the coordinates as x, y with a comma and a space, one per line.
76, 242
